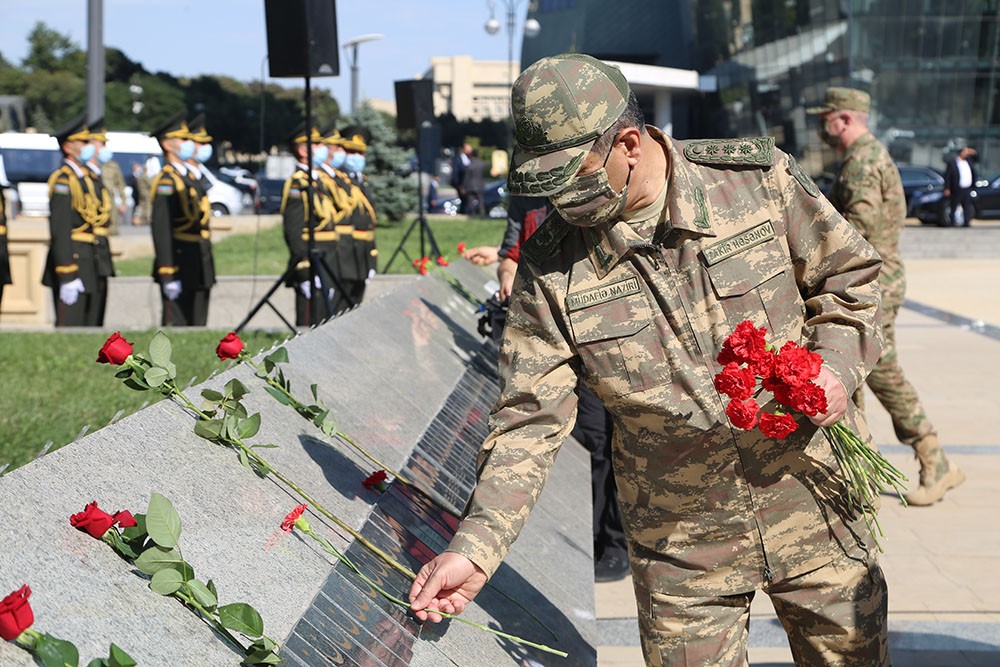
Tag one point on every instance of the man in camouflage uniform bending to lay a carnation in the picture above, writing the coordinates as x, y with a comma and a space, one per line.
660, 248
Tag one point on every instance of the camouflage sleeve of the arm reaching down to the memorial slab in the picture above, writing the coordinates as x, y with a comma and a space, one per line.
533, 416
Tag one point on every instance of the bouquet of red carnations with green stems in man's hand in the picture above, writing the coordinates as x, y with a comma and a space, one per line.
788, 374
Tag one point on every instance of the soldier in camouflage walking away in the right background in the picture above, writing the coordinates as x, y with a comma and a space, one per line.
869, 193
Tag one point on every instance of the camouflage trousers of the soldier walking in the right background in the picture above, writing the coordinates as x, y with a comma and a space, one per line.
887, 380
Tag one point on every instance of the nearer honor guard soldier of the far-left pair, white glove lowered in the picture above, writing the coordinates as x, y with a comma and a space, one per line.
71, 269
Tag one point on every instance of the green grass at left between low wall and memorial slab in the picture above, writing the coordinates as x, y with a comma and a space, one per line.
51, 385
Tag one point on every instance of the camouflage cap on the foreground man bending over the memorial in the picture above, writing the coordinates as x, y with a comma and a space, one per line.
560, 106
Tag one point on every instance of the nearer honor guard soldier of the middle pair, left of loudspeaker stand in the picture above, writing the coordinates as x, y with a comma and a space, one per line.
183, 267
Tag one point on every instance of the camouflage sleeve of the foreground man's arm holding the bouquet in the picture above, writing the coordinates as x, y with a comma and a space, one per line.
837, 273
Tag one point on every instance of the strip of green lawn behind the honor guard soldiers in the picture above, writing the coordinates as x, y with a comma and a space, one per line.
266, 254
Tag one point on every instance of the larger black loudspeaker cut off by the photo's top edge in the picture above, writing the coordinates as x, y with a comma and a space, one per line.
302, 38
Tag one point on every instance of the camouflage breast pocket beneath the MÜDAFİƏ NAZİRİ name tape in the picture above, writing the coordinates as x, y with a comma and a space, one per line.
619, 345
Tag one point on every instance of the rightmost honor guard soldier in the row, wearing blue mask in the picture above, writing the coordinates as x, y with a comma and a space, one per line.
355, 140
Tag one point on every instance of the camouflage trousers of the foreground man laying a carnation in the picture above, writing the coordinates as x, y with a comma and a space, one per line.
834, 616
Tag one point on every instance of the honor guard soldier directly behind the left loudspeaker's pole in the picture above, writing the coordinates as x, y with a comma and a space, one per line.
315, 278
